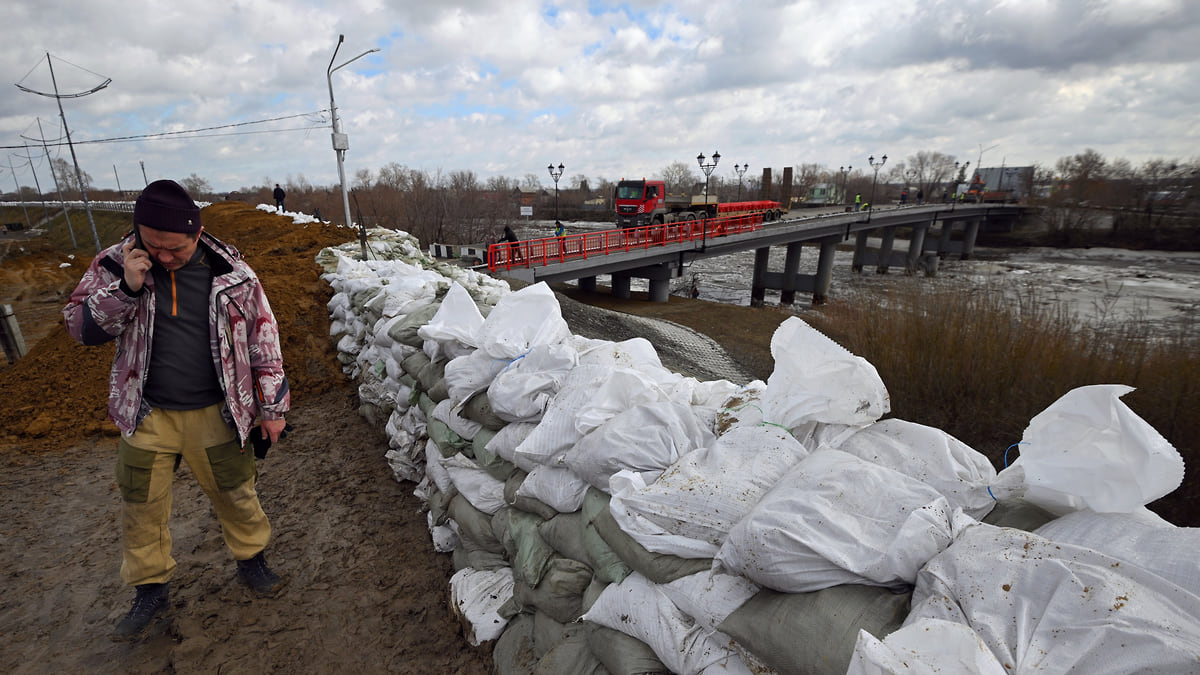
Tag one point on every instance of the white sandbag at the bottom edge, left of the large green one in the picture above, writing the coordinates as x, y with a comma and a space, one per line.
638, 608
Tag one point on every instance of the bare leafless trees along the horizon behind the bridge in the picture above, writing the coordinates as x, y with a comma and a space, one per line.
459, 207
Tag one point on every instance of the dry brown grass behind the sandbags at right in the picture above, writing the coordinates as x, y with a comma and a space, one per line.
981, 366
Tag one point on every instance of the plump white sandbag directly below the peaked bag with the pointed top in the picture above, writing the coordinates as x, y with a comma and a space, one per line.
523, 390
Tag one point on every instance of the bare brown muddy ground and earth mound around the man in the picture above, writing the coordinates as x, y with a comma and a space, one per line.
367, 593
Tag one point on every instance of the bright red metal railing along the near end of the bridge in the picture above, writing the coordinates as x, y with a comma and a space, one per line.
539, 253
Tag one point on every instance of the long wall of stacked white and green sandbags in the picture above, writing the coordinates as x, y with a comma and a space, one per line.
608, 516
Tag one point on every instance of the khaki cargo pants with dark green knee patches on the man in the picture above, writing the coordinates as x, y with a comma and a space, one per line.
146, 467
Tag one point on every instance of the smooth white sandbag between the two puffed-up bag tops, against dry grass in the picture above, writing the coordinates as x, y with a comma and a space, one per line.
931, 456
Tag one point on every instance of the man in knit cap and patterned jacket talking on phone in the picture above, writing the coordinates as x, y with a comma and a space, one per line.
197, 363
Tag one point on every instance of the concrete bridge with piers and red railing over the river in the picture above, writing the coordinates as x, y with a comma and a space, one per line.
661, 253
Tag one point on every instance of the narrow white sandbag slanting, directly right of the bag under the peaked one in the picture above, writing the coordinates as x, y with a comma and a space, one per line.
556, 433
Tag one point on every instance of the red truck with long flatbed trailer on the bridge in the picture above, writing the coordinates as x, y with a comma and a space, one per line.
646, 202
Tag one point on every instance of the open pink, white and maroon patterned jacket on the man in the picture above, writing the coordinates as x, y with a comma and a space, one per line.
243, 336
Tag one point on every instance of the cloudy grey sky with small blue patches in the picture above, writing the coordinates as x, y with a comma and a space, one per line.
608, 89
